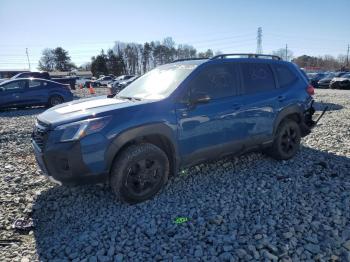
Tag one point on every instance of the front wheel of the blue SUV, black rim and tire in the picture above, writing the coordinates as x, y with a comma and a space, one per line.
139, 173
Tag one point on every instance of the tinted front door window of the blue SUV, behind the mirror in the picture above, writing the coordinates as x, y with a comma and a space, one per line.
216, 81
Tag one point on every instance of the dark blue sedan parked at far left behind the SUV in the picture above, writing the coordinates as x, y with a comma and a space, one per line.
23, 92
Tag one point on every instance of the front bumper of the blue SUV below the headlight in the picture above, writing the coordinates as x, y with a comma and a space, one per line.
64, 164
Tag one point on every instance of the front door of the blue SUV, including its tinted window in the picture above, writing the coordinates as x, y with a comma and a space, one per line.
203, 127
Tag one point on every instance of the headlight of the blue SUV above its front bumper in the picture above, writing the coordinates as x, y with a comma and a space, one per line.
77, 130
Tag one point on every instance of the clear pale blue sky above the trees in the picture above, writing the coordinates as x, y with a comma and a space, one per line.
85, 27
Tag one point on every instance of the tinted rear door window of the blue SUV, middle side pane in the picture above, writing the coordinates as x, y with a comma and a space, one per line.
257, 78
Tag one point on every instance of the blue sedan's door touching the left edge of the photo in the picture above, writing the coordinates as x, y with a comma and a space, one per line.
12, 93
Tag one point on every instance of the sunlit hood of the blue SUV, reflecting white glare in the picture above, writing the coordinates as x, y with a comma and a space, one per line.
82, 109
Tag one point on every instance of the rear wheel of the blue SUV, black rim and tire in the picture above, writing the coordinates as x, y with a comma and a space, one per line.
287, 140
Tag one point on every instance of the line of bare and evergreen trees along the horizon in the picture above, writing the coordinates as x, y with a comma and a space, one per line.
135, 58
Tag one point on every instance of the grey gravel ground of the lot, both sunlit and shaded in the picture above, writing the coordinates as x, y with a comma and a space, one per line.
238, 208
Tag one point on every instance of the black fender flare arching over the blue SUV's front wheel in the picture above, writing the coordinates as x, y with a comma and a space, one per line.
137, 133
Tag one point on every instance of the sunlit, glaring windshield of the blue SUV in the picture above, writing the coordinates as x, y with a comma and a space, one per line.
158, 83
